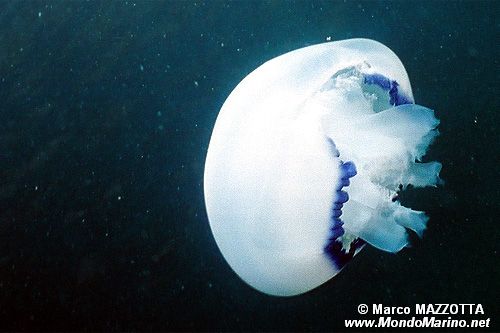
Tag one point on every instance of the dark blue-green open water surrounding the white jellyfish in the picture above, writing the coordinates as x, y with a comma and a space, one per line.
106, 114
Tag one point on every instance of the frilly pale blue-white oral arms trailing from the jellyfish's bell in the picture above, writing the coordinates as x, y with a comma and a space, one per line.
388, 145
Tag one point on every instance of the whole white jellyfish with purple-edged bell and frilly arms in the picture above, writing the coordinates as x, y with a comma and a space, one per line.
305, 161
